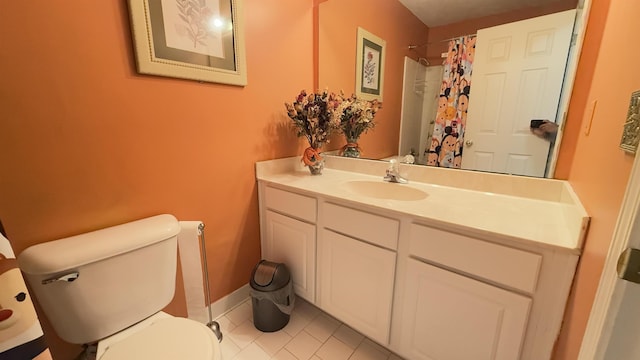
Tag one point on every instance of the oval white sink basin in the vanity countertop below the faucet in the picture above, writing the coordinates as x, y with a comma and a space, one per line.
385, 190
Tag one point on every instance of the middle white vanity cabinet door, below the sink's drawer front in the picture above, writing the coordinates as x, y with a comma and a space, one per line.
356, 283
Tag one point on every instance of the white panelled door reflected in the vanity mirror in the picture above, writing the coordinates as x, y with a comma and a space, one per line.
516, 78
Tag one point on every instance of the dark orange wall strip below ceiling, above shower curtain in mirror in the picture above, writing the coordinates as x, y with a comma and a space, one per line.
439, 33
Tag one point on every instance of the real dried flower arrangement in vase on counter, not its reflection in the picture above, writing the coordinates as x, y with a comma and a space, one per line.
315, 116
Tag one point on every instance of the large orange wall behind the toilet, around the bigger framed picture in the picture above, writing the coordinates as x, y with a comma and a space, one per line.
86, 142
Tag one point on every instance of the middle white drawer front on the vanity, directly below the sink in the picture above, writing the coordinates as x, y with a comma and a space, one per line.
372, 228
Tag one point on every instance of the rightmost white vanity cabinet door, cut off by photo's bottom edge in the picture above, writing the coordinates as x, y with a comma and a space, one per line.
446, 316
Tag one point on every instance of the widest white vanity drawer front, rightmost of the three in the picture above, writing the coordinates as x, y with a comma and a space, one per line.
512, 267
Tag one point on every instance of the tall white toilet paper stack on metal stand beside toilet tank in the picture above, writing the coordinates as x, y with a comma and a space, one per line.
191, 262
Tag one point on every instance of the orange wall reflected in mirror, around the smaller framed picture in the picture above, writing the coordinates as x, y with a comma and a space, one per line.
338, 24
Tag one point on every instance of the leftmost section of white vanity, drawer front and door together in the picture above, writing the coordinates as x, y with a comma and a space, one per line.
289, 236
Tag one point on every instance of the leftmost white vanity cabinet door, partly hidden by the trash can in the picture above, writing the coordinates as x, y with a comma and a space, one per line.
293, 243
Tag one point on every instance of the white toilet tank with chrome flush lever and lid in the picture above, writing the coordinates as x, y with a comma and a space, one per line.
93, 285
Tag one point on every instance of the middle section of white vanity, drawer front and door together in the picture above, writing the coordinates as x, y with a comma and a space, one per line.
356, 268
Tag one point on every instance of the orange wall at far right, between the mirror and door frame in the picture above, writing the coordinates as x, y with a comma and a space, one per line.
600, 170
